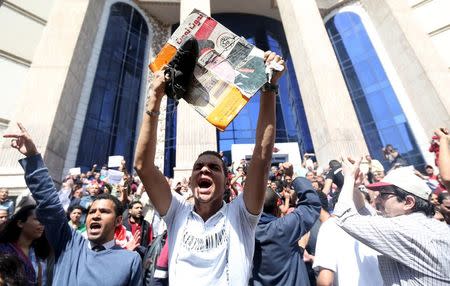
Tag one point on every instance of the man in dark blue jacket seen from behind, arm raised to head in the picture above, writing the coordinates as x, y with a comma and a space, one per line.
278, 259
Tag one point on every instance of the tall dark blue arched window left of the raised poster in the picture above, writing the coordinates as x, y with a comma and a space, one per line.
112, 112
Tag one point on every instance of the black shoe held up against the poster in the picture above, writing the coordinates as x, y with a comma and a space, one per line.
181, 69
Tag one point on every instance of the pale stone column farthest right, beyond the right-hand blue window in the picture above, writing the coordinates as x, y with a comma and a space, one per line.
423, 73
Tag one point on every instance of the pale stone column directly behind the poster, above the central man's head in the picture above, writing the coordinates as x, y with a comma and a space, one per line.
194, 133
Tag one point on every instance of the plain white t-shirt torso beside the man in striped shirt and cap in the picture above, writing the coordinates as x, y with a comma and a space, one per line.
342, 260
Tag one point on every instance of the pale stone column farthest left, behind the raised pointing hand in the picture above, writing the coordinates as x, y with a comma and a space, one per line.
47, 106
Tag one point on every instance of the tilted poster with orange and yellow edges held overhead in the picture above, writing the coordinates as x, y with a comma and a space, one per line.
229, 69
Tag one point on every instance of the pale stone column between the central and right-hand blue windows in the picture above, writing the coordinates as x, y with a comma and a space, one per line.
331, 117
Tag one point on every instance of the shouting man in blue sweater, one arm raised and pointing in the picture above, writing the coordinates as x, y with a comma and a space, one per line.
95, 261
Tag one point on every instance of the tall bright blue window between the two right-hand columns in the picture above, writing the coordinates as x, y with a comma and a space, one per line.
379, 112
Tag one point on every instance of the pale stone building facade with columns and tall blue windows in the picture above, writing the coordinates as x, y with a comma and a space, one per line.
360, 75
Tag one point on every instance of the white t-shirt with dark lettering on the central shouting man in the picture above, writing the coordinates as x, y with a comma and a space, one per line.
216, 252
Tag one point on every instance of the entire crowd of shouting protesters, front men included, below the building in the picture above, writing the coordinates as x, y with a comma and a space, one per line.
352, 222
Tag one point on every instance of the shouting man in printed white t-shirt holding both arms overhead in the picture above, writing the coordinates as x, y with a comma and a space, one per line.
210, 242
